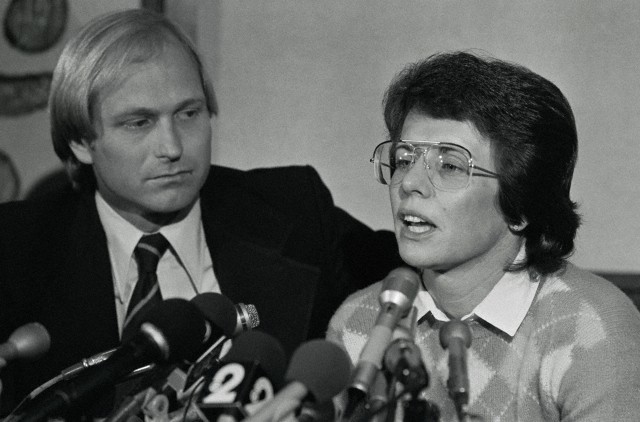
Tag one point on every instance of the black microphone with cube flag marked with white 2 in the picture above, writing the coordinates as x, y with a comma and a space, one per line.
245, 378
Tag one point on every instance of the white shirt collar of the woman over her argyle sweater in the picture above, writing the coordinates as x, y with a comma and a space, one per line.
504, 307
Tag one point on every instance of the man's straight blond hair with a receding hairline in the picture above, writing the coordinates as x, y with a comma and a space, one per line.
92, 61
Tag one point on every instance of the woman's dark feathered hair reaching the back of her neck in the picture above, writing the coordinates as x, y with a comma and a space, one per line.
531, 128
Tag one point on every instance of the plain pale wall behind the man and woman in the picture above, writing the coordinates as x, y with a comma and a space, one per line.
301, 82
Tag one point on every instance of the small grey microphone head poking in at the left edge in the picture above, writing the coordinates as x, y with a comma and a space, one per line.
29, 342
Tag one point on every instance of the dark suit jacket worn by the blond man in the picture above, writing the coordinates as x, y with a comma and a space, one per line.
276, 241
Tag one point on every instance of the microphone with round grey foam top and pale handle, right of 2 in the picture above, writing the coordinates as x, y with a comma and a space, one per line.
318, 371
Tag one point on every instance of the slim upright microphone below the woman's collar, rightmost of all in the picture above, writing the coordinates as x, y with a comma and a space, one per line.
456, 337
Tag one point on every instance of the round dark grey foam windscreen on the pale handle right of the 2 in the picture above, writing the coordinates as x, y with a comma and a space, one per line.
321, 366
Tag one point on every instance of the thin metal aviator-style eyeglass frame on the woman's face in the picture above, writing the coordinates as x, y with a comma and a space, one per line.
377, 164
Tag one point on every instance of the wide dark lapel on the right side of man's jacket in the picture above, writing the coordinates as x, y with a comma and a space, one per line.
246, 238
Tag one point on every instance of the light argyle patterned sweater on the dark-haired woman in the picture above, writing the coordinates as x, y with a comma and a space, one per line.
575, 357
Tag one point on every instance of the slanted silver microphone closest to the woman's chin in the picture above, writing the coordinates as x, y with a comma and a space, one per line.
399, 290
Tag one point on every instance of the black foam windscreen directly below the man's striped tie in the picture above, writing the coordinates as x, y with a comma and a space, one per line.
181, 324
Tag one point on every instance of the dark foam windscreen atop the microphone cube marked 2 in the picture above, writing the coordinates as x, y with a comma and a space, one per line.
256, 346
